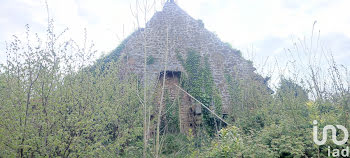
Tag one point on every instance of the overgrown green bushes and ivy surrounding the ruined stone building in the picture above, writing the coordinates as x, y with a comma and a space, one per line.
56, 100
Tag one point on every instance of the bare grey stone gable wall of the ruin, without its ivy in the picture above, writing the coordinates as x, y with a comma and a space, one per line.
173, 31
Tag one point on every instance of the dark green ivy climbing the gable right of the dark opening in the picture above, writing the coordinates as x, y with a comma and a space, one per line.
198, 81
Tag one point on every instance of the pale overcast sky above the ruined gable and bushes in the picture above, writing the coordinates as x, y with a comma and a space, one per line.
261, 28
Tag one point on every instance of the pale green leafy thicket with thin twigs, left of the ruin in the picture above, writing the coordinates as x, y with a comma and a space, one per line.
52, 106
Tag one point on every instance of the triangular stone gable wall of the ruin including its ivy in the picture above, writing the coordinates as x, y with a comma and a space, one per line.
173, 32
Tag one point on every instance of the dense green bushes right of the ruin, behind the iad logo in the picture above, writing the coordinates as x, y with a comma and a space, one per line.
282, 127
